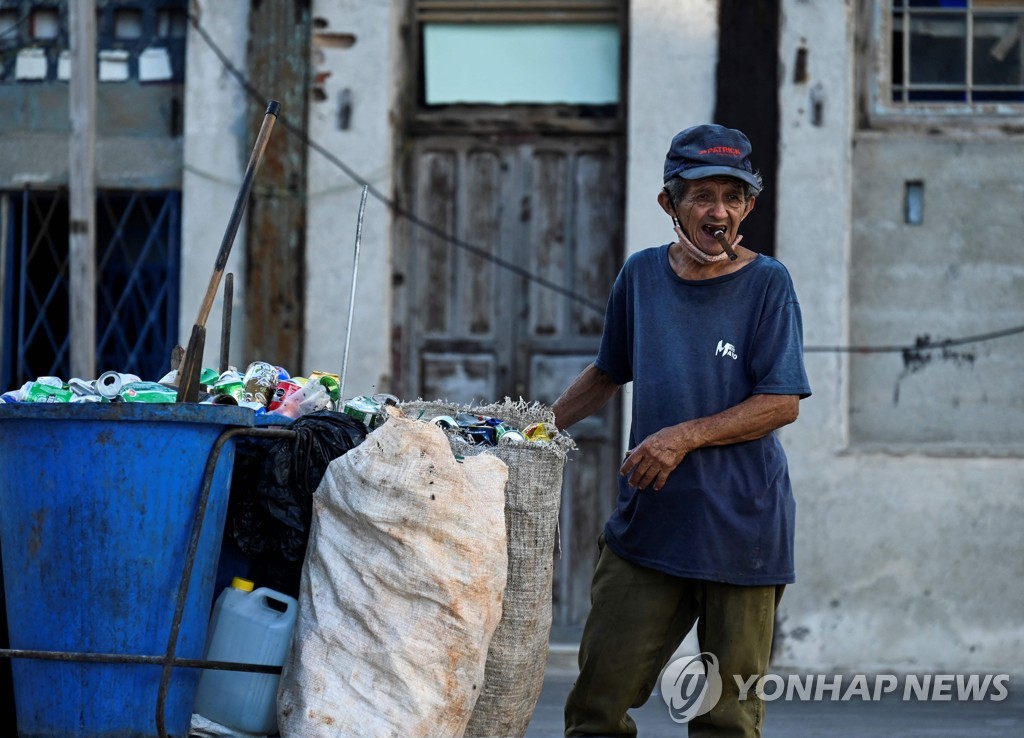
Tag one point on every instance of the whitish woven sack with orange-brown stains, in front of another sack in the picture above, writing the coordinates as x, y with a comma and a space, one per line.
402, 590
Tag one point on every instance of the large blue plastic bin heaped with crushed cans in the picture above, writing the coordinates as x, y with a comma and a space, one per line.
97, 509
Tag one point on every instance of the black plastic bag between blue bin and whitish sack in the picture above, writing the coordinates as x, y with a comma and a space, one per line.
273, 488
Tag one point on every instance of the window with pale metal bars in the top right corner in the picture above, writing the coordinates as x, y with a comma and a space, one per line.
957, 52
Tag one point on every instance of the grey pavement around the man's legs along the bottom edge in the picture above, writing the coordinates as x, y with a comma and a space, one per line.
888, 718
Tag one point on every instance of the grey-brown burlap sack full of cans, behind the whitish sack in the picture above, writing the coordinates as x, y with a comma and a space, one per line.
519, 654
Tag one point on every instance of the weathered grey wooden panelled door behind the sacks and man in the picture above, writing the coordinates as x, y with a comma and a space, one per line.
477, 319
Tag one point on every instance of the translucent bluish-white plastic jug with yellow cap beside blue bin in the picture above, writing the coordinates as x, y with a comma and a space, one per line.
246, 629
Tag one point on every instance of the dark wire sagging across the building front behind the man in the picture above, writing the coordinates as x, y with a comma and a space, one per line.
924, 343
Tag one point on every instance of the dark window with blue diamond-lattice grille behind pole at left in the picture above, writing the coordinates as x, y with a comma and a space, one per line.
138, 268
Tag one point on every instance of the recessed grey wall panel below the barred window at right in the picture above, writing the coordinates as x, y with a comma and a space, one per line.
961, 273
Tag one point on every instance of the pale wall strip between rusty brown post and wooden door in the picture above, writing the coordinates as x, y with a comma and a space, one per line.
355, 51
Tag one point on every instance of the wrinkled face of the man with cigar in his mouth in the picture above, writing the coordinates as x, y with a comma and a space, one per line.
710, 205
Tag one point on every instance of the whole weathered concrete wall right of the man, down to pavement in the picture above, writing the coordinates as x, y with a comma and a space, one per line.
908, 560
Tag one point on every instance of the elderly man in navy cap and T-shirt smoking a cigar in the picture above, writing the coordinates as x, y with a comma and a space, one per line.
710, 334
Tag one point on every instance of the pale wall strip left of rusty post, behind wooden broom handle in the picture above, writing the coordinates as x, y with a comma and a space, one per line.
217, 151
